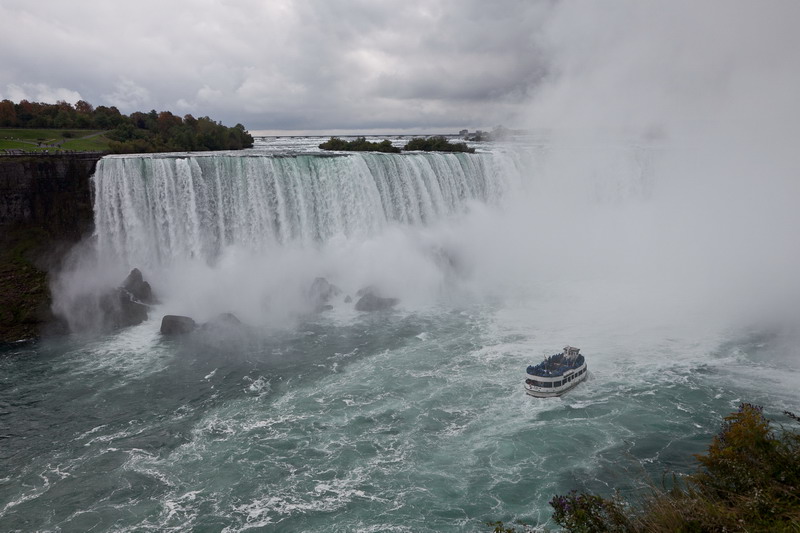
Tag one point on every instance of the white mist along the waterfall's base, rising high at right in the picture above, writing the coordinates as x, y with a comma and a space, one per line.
662, 192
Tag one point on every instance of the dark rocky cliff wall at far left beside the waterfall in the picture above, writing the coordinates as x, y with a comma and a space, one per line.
45, 207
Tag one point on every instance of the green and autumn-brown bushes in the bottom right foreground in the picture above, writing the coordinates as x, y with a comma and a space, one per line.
749, 480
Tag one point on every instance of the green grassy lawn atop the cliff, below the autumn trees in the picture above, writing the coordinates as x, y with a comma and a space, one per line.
38, 140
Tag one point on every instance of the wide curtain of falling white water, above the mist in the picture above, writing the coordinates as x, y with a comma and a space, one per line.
153, 210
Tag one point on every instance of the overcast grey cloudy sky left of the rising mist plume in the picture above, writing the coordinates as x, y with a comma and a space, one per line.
279, 64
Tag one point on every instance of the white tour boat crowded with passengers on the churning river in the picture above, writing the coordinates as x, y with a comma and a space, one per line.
556, 374
